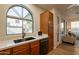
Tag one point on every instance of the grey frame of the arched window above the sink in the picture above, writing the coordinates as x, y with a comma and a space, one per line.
7, 16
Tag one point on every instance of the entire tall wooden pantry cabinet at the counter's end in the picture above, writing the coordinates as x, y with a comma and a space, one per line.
46, 26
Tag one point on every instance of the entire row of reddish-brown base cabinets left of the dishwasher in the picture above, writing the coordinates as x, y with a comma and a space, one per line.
31, 48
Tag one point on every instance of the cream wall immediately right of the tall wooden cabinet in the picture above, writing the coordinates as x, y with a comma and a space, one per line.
56, 13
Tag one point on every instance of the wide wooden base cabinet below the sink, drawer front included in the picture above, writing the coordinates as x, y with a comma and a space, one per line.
21, 50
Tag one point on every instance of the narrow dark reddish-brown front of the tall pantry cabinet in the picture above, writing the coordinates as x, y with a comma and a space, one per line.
50, 31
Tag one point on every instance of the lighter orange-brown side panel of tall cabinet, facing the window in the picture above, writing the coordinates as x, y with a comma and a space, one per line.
44, 18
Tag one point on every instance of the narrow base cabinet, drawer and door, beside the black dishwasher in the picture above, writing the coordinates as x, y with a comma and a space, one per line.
35, 48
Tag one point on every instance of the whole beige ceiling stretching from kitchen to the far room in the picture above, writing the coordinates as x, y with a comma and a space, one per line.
73, 12
